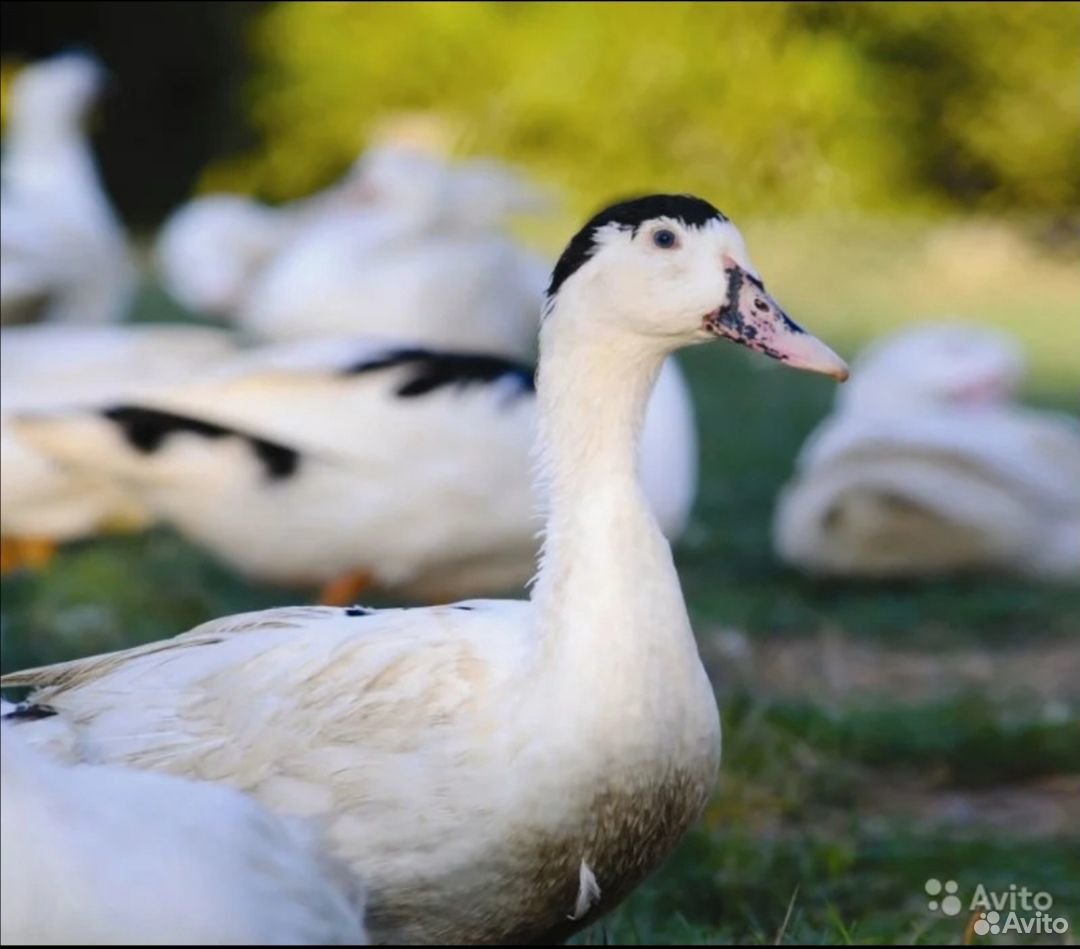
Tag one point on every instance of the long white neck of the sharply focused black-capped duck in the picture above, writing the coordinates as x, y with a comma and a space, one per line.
610, 607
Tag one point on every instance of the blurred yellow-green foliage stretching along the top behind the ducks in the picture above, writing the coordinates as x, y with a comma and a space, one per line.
777, 107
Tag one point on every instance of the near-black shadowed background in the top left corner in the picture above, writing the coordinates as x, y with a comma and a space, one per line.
178, 67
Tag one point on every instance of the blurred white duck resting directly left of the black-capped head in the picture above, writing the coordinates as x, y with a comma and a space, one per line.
423, 259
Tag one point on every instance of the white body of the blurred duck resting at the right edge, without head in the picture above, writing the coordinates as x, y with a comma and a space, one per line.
954, 492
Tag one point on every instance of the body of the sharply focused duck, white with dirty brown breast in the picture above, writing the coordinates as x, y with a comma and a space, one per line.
462, 810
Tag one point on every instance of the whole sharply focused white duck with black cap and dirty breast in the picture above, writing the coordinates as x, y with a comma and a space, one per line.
496, 771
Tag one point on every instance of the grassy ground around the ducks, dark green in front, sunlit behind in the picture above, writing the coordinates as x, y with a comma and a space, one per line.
838, 802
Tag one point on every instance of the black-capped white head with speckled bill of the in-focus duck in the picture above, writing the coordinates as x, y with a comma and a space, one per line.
674, 270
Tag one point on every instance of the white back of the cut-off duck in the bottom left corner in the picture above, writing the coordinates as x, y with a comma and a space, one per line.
102, 856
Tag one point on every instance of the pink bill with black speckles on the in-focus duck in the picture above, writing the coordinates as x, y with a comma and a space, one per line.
754, 320
